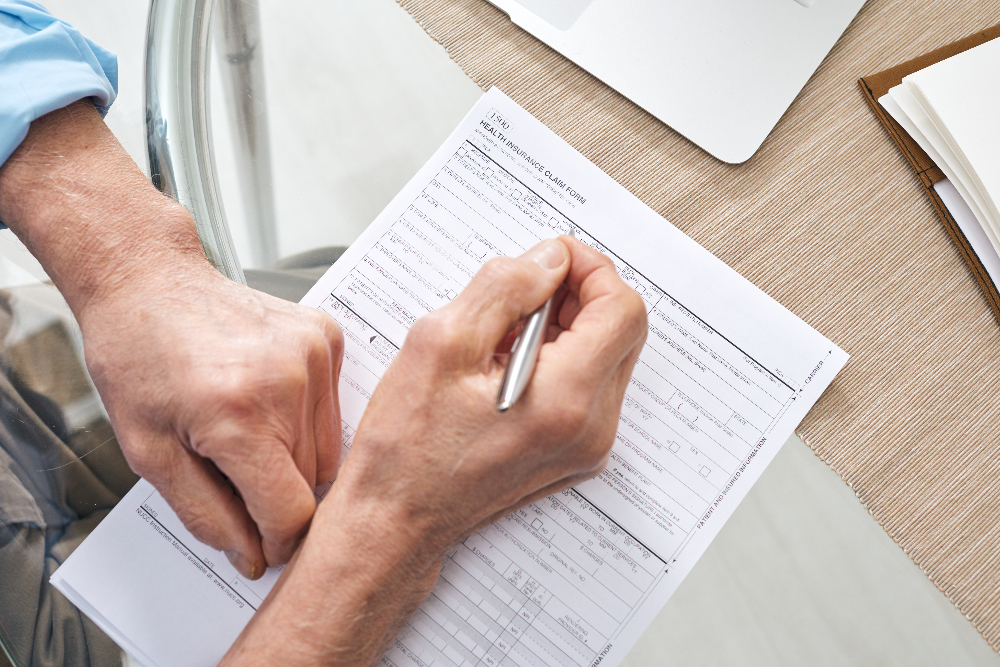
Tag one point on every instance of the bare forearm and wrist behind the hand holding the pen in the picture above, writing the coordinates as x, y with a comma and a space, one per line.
362, 571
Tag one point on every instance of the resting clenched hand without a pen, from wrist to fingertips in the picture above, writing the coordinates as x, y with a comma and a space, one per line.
205, 380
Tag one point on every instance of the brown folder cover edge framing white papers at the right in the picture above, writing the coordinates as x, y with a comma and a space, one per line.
877, 85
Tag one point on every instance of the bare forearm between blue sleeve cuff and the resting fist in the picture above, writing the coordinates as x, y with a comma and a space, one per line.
83, 208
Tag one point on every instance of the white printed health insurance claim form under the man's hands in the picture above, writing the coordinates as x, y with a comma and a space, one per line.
570, 581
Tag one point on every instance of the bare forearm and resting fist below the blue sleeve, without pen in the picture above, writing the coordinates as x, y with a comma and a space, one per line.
204, 379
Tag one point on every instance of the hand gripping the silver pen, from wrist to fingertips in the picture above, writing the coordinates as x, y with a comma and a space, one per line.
432, 440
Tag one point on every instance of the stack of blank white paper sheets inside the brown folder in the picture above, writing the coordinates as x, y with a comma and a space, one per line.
952, 110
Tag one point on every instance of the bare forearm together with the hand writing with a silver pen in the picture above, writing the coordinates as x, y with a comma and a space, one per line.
433, 460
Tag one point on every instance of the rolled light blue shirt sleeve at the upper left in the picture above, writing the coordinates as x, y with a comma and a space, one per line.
46, 64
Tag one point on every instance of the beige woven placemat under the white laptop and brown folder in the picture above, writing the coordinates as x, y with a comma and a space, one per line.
828, 219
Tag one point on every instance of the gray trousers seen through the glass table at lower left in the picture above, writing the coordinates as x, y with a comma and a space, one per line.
50, 500
